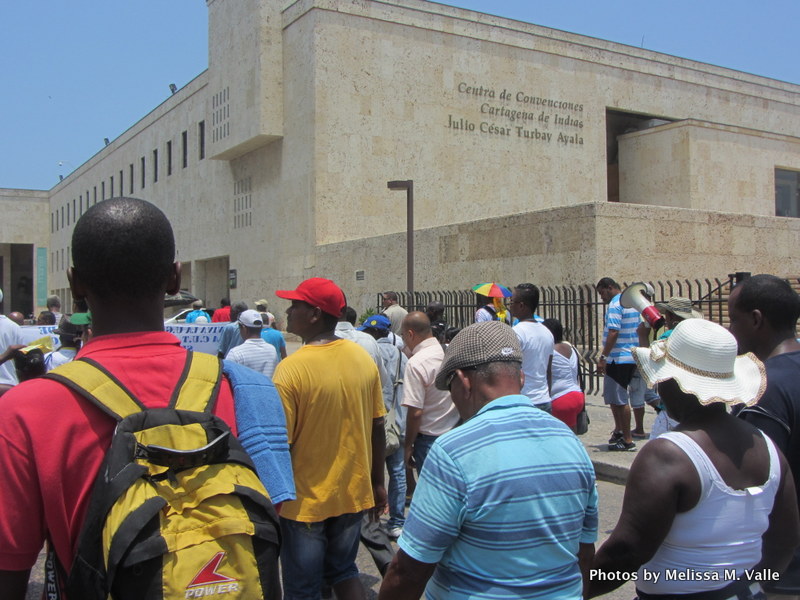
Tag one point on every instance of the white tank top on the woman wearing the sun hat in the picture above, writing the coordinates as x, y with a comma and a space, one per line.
721, 533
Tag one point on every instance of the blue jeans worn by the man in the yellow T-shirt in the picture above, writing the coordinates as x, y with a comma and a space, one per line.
312, 552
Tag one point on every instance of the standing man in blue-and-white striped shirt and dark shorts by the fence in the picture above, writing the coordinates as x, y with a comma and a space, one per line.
617, 366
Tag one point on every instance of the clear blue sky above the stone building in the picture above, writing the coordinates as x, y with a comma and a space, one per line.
76, 72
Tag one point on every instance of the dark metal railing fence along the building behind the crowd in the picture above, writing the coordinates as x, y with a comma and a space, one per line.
581, 312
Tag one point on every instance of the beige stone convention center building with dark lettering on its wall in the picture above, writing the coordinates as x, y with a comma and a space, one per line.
536, 155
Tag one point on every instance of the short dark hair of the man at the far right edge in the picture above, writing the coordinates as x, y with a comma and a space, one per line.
774, 297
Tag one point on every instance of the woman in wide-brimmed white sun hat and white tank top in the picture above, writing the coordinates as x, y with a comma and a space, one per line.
709, 508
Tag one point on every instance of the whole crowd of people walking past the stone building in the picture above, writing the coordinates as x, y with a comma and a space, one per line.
475, 426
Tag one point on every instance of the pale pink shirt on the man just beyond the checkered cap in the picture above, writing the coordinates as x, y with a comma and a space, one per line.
439, 414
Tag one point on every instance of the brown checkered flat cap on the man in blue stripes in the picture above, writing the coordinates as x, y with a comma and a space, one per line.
479, 344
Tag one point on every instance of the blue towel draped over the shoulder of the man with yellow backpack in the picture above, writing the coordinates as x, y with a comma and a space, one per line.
261, 423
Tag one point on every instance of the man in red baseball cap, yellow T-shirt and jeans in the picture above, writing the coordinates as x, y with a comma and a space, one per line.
332, 397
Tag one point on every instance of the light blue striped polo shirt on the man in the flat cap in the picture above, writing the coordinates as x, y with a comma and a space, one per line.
502, 504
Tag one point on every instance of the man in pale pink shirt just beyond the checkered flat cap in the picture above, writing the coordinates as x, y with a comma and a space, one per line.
431, 412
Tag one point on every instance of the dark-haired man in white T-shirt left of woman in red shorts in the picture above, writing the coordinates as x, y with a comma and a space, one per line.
537, 345
